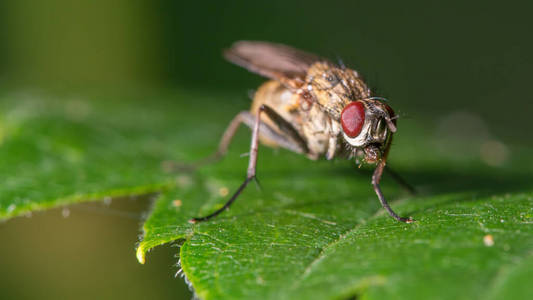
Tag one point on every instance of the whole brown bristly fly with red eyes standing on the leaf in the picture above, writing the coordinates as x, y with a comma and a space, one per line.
313, 107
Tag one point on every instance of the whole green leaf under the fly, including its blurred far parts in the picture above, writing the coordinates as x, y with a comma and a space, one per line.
314, 230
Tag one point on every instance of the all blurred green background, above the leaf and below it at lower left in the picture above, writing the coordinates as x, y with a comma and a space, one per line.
467, 64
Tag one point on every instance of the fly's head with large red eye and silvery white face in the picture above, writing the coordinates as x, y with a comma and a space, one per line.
368, 125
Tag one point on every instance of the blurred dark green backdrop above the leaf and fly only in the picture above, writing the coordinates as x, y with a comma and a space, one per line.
428, 56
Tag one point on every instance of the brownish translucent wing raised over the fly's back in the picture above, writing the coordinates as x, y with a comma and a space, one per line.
271, 60
